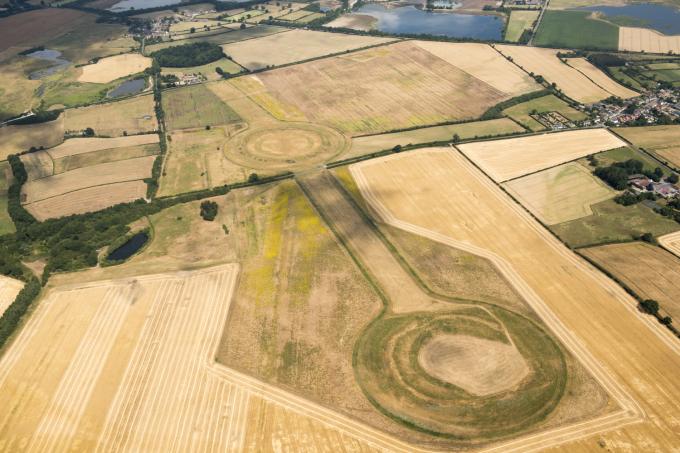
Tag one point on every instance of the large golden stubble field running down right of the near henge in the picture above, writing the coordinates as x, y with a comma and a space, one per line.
456, 204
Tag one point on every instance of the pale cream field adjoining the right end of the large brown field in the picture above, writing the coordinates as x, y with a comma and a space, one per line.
484, 63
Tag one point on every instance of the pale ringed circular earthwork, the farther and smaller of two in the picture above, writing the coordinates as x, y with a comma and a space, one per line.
289, 146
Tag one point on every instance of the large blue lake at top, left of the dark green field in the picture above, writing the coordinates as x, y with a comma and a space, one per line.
410, 20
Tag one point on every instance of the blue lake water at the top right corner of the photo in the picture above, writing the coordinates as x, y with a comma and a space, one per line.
664, 19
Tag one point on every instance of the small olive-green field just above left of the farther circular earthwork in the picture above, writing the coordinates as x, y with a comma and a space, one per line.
195, 106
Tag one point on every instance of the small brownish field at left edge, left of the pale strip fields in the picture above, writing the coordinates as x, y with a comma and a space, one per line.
16, 139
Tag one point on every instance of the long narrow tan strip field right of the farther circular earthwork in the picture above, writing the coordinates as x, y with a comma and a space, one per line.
373, 143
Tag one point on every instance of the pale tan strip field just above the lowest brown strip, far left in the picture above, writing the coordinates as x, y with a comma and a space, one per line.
81, 178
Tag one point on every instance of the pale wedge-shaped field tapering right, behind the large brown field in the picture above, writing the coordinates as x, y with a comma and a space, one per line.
295, 45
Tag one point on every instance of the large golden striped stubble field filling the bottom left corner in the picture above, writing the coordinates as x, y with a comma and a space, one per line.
131, 368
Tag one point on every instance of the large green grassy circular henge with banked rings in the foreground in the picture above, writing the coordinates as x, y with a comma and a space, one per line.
389, 368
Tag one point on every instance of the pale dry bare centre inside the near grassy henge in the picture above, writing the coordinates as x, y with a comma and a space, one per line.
479, 366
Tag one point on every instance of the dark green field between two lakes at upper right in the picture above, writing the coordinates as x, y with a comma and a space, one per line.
573, 29
